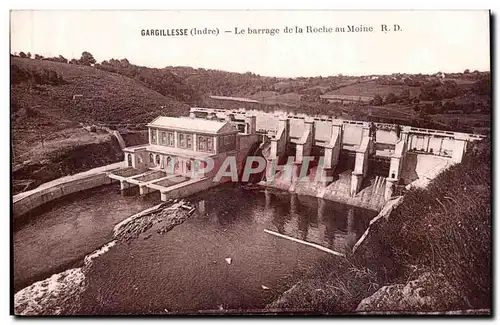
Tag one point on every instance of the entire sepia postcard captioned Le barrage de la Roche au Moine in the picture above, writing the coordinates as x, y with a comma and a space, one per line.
250, 162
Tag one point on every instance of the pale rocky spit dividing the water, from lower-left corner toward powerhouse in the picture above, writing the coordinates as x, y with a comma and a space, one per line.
61, 293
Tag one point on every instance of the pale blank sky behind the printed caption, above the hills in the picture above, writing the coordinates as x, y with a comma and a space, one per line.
428, 42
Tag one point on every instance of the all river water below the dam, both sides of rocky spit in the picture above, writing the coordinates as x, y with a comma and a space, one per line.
185, 270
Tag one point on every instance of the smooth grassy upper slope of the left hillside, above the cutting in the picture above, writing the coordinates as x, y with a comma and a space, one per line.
106, 96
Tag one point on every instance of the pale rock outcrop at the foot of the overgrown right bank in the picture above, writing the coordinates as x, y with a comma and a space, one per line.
429, 292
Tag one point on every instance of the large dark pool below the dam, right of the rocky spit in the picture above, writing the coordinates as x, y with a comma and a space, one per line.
185, 270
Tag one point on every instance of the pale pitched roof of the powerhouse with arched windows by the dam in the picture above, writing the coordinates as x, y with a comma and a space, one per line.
196, 125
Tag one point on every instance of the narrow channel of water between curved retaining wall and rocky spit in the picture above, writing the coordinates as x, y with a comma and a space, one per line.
61, 233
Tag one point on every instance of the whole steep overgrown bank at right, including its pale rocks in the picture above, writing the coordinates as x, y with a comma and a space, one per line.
432, 253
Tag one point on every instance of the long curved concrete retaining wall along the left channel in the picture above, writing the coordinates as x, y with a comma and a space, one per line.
27, 201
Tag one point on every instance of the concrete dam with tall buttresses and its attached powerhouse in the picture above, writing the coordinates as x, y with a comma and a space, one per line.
360, 163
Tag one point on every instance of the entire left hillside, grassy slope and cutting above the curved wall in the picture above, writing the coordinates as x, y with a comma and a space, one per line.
51, 101
